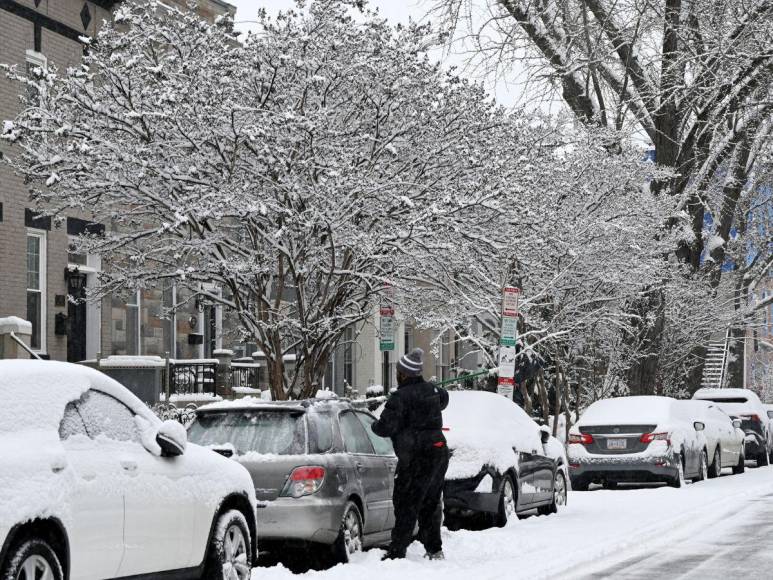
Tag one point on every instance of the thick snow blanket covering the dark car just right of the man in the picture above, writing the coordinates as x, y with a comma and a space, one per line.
484, 429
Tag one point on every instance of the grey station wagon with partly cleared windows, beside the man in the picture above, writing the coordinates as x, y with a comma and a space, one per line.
326, 478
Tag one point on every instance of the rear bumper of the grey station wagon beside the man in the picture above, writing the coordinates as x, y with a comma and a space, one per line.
307, 519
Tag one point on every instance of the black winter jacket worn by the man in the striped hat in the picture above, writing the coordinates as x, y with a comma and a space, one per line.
412, 418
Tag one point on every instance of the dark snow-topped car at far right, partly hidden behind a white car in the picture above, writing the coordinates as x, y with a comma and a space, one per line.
746, 406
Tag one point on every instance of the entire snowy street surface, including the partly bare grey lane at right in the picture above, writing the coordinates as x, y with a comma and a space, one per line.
705, 530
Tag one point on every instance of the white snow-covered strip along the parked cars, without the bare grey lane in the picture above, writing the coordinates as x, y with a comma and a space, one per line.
597, 527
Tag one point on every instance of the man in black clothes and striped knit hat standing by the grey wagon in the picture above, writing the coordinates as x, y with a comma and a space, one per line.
413, 419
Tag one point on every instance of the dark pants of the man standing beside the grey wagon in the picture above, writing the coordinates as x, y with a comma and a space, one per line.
418, 489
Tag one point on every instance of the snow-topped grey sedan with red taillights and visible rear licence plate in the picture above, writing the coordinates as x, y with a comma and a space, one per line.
635, 440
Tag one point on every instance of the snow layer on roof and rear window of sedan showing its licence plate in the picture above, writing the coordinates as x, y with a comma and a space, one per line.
627, 411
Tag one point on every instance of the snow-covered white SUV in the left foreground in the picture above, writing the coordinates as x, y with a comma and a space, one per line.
95, 486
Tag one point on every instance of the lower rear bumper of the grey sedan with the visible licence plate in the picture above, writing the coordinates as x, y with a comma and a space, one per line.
599, 470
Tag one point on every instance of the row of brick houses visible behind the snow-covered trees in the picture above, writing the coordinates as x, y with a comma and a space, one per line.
39, 270
